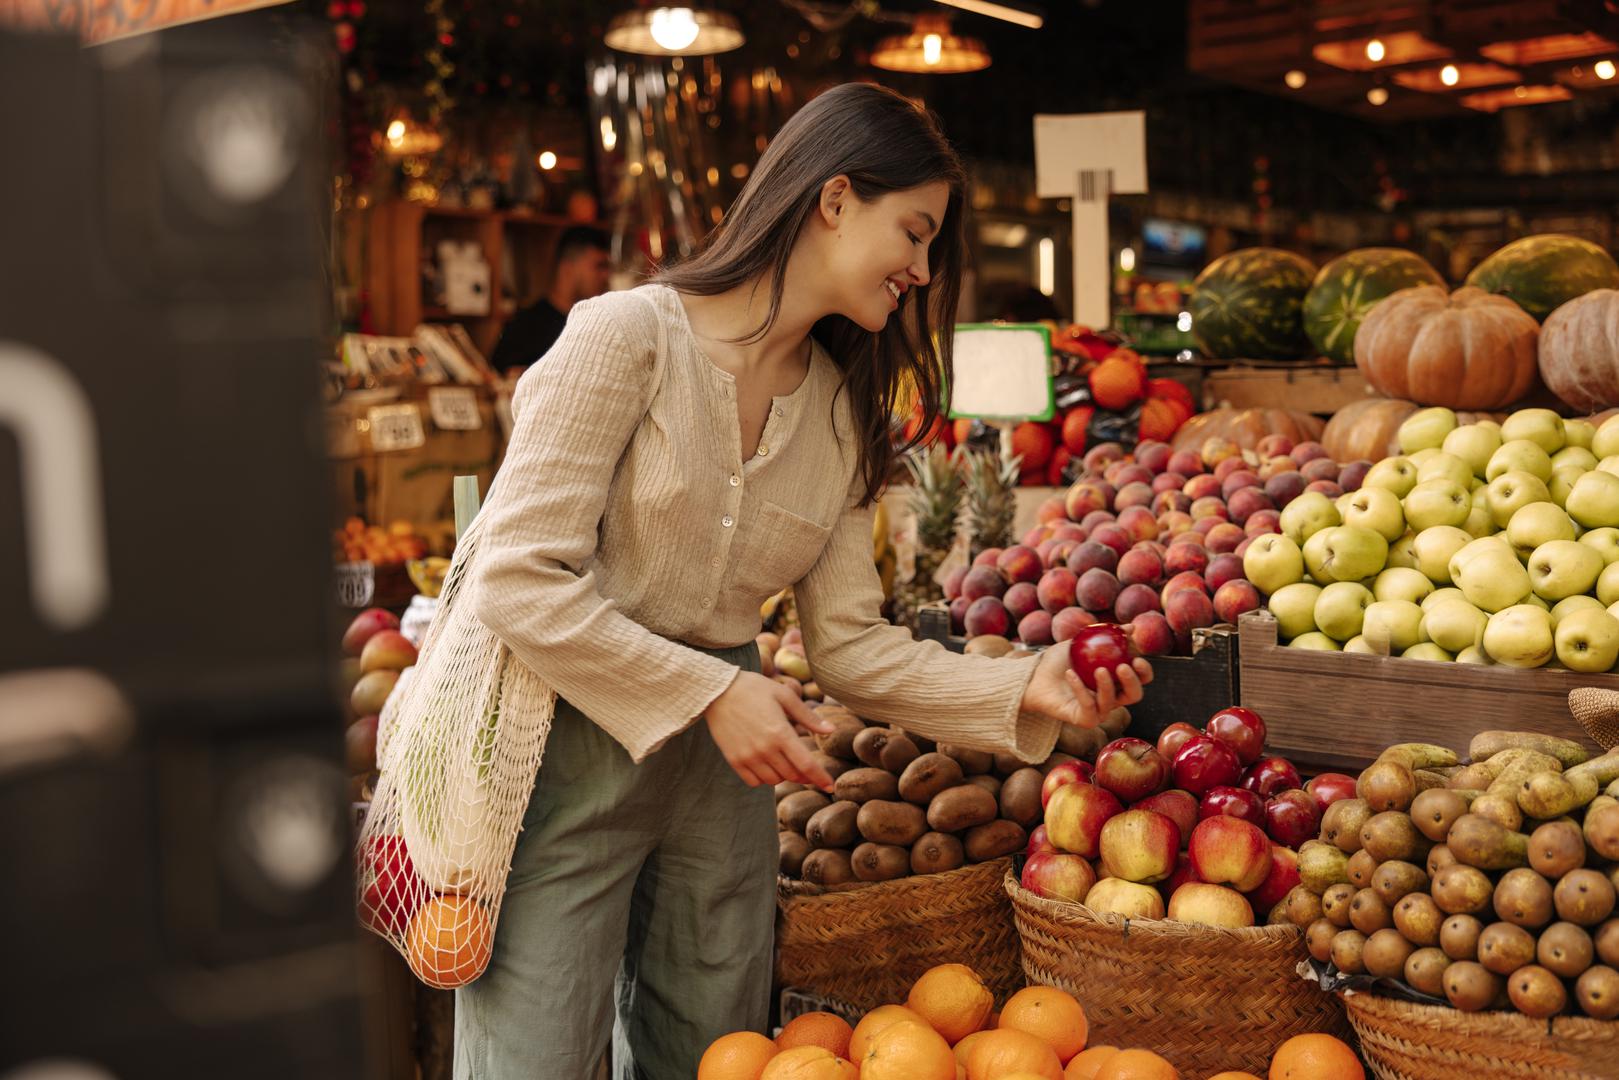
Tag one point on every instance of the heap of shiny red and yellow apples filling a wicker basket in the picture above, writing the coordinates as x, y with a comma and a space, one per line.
1202, 828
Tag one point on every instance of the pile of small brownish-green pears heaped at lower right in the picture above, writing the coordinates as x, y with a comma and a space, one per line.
1490, 885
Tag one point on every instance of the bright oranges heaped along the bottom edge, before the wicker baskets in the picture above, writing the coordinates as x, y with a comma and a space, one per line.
948, 1031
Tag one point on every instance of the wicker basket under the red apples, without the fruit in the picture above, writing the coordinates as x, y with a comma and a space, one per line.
1209, 1000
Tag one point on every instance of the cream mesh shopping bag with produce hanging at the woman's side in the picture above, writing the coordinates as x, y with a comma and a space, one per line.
459, 749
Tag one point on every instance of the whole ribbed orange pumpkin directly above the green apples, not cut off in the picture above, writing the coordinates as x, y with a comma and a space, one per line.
1466, 349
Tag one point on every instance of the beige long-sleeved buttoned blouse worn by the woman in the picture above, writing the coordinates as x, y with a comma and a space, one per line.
624, 524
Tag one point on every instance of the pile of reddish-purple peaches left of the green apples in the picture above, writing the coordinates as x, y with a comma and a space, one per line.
1152, 542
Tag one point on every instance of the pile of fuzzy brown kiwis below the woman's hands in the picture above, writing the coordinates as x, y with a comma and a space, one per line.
904, 806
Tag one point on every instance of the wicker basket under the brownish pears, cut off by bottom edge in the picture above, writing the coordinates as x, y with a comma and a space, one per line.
1403, 1040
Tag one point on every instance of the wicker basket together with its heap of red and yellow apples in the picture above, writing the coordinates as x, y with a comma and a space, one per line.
1158, 887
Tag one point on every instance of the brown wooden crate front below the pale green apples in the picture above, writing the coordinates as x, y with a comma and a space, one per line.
1340, 710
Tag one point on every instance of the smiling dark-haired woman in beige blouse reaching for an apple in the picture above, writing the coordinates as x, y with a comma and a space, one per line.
684, 453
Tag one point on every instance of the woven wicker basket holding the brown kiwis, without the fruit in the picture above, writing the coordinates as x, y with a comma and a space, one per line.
867, 945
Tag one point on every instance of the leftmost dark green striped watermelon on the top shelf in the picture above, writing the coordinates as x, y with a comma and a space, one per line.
1247, 305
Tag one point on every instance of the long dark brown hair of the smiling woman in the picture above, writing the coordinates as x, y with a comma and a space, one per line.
883, 143
